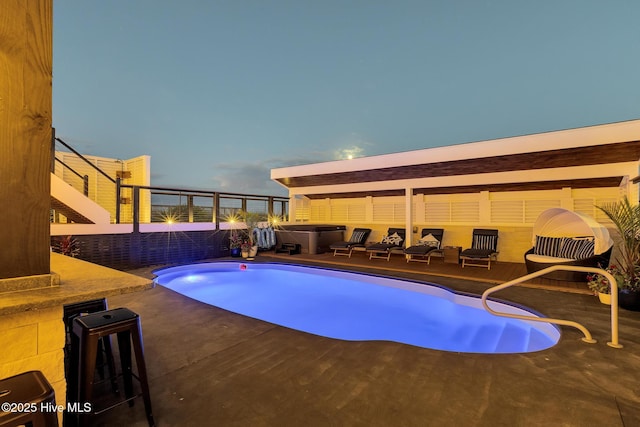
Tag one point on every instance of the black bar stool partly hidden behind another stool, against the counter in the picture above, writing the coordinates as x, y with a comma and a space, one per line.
70, 311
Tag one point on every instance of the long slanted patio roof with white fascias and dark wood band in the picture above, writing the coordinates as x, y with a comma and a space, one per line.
591, 157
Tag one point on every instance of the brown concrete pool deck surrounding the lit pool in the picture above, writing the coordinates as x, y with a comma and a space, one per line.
208, 366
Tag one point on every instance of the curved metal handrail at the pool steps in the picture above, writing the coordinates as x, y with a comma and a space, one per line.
613, 286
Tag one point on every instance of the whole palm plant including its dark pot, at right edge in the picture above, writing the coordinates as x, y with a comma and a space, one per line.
626, 218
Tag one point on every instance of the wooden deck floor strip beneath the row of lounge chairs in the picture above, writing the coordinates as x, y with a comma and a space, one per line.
500, 272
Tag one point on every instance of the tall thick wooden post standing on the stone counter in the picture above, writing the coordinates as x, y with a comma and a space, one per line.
26, 28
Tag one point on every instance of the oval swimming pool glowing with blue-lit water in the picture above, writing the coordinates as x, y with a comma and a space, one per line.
359, 307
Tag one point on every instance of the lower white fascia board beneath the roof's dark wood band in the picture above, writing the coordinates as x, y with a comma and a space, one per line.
552, 174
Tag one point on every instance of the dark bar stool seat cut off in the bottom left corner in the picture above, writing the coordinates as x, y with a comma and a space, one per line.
34, 398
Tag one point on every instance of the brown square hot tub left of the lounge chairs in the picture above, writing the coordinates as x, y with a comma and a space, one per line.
312, 238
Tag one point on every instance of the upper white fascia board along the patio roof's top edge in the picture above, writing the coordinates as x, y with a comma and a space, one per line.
570, 138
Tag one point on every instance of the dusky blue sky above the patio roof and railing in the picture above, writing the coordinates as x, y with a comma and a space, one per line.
219, 92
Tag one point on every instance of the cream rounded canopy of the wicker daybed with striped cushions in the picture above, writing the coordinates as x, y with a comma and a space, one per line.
559, 222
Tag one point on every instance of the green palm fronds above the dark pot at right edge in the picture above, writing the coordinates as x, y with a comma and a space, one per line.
626, 218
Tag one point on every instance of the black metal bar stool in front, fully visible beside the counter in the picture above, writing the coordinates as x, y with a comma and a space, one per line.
86, 332
